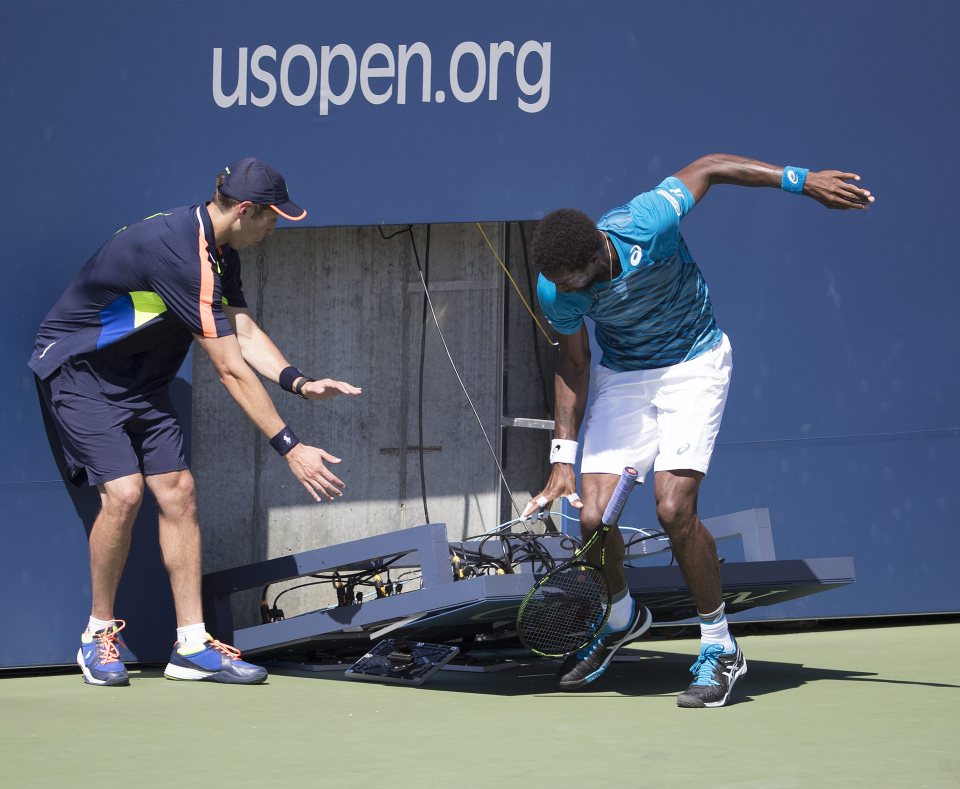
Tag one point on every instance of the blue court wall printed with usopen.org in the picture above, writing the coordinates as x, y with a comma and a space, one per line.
843, 416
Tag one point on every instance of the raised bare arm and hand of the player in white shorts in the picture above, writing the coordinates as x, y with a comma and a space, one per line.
832, 188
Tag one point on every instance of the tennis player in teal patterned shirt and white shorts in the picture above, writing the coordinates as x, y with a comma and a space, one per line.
660, 387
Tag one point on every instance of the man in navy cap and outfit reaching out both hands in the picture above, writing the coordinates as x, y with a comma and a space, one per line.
104, 358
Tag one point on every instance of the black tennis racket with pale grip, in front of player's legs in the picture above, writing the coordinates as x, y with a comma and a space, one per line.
567, 607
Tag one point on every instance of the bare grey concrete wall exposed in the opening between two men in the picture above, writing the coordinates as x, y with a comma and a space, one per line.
346, 303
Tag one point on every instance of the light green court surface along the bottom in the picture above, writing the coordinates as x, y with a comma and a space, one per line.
864, 706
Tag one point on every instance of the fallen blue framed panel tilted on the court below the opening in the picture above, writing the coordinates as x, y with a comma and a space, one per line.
483, 603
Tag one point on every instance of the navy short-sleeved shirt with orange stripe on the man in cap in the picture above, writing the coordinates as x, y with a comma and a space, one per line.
125, 323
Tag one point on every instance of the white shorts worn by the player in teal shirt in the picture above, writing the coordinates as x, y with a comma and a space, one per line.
668, 417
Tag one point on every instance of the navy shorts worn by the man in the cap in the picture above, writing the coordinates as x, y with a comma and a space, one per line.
105, 439
